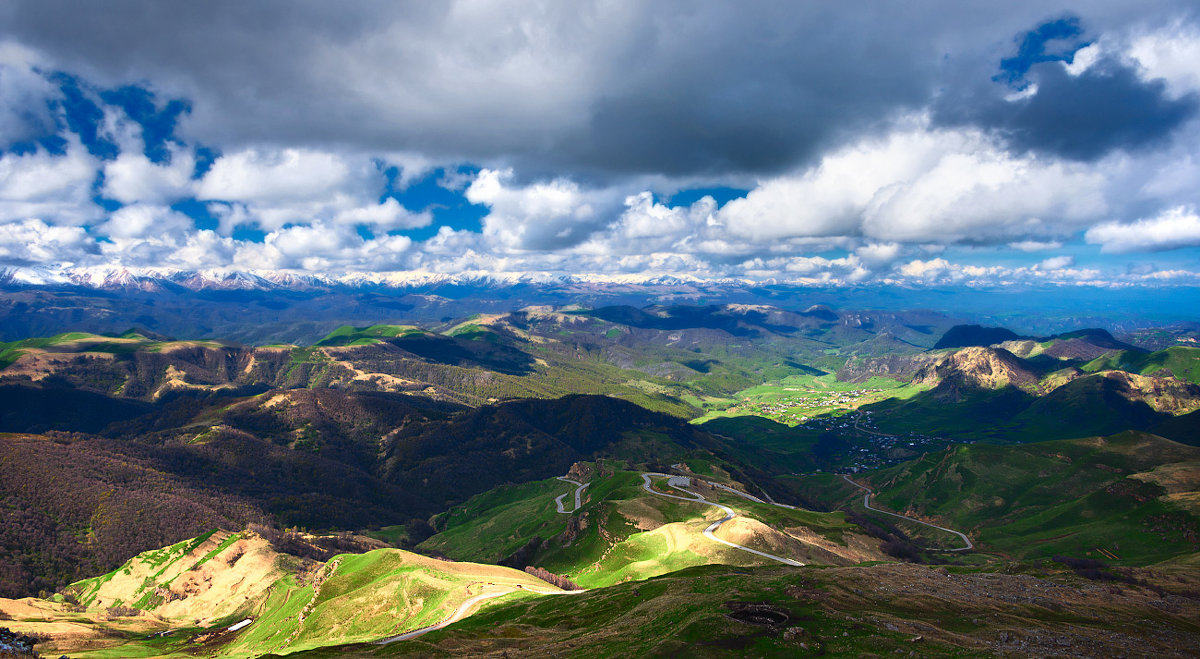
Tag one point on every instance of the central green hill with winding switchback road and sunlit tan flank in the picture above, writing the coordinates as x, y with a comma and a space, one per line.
623, 532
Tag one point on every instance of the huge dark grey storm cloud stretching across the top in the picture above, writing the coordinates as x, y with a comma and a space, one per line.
592, 91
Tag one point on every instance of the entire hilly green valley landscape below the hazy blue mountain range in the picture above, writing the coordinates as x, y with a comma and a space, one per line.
398, 489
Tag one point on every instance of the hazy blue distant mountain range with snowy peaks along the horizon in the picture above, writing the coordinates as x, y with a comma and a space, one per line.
283, 305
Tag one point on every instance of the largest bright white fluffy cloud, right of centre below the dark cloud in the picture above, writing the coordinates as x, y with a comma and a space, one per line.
923, 185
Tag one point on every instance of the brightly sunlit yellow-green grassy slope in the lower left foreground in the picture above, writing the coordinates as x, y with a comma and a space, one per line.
367, 597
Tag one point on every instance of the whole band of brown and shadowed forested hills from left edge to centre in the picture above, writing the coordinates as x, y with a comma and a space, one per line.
77, 505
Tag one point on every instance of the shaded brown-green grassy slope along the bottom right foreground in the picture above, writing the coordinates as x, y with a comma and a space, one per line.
862, 612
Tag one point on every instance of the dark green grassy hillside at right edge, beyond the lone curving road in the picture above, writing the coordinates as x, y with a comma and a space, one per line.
1055, 498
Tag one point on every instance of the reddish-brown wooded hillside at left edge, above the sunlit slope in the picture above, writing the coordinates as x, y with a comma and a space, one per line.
75, 506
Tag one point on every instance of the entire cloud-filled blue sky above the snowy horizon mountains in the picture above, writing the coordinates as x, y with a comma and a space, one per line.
815, 143
